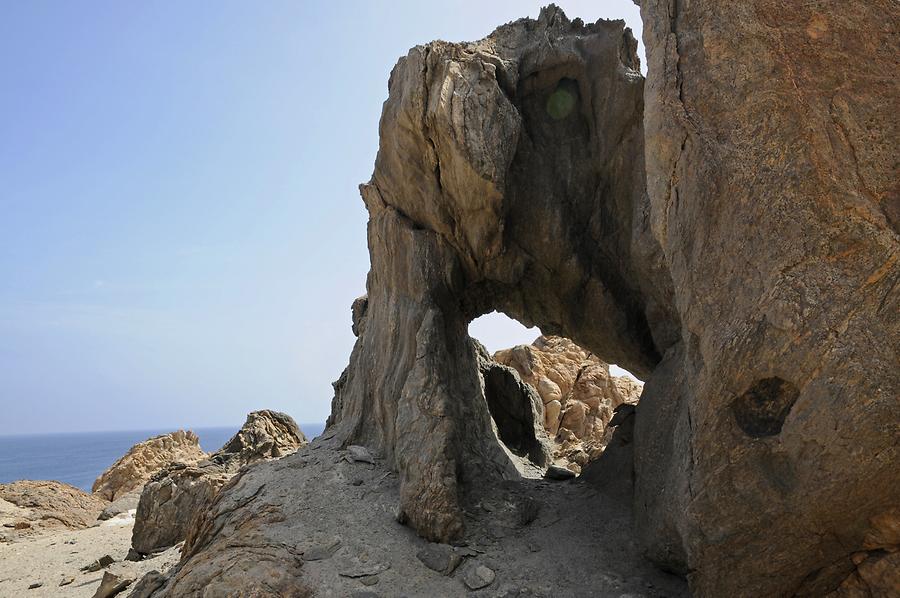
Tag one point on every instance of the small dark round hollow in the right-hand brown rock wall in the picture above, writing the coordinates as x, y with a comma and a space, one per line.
762, 409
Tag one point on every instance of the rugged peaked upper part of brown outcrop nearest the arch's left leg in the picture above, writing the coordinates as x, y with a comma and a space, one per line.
265, 435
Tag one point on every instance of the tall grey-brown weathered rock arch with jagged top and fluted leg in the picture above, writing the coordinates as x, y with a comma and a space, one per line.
509, 178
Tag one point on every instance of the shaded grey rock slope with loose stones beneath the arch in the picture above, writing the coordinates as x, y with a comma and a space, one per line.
299, 526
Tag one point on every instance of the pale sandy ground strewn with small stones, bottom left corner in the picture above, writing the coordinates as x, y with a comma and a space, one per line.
53, 556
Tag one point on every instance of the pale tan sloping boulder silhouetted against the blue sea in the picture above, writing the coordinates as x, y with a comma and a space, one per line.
132, 470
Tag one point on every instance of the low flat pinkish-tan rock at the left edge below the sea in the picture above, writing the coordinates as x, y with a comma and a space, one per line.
33, 505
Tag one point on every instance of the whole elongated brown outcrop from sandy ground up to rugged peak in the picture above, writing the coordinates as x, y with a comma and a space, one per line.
176, 494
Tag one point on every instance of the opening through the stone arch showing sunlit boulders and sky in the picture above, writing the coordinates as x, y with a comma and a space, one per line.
552, 385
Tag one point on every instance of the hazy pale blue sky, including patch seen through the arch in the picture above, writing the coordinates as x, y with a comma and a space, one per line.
181, 234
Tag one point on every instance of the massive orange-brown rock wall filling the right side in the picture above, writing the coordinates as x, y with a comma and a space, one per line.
771, 141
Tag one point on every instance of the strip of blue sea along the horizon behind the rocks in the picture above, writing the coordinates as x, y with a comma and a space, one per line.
78, 458
